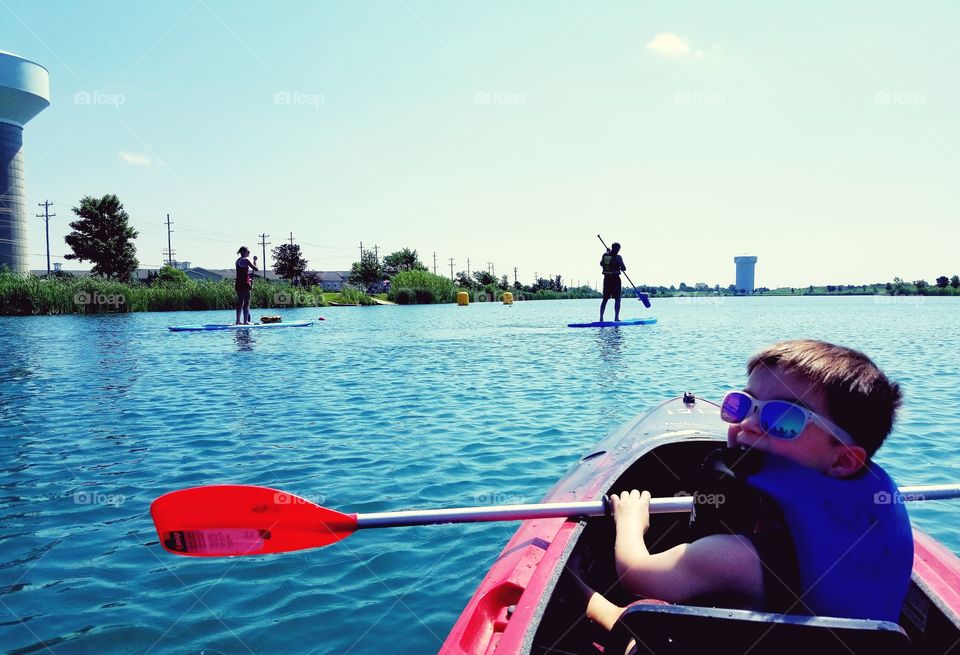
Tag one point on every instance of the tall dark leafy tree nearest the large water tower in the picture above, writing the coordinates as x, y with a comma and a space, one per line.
102, 235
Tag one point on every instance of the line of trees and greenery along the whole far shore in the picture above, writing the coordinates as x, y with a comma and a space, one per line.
103, 236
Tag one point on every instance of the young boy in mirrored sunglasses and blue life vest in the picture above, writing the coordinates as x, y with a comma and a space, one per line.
813, 414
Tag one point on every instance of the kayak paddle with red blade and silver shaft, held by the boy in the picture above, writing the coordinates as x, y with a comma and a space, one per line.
227, 520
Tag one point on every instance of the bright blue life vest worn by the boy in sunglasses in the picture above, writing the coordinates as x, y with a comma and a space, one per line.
853, 540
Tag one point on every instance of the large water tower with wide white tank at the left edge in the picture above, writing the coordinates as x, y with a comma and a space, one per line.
24, 93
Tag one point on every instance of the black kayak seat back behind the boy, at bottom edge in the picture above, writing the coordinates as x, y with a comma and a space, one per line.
687, 629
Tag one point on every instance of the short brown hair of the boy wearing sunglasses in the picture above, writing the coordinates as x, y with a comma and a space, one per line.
860, 398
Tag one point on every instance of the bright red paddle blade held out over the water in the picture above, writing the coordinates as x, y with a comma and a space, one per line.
224, 520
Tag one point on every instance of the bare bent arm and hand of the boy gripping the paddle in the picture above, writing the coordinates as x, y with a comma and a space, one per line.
717, 563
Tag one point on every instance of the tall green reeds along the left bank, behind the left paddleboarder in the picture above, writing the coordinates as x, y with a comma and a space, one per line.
26, 295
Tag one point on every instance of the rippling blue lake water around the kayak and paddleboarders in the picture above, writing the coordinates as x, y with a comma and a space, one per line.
374, 409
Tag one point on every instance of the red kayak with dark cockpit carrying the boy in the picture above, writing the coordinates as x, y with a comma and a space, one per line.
519, 606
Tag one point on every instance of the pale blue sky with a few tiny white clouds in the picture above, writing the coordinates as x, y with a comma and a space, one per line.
820, 137
